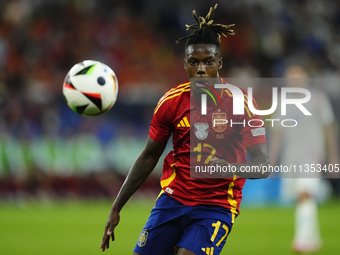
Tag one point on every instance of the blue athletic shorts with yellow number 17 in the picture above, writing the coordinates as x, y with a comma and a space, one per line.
199, 229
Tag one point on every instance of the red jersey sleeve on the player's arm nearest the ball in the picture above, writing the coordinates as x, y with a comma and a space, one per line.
161, 123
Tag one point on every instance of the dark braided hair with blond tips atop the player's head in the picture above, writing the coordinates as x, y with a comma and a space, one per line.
206, 31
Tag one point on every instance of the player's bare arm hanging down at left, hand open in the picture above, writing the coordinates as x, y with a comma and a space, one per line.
140, 170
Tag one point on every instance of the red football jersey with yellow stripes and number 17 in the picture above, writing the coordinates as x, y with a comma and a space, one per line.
196, 138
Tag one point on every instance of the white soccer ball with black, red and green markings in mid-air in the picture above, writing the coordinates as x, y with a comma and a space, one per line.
90, 88
